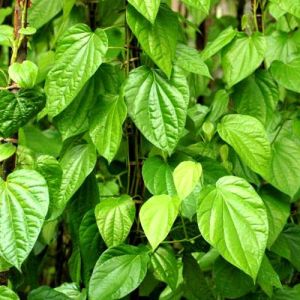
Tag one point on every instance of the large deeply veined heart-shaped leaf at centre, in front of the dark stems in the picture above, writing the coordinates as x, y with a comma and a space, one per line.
157, 106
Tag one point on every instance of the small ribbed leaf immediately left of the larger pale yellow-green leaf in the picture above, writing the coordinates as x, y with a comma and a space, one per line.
115, 217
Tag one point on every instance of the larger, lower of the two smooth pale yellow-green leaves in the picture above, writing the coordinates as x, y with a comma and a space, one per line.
157, 216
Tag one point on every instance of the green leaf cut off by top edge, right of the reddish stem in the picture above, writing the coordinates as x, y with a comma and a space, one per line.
42, 11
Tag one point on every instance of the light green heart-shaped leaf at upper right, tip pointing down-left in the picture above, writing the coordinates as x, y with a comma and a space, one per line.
242, 57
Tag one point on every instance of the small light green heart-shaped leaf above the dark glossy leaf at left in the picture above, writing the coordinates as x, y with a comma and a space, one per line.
24, 74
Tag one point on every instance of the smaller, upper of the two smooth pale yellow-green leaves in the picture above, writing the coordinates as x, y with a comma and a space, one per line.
186, 176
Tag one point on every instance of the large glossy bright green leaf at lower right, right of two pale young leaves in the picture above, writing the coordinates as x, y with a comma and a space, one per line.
229, 212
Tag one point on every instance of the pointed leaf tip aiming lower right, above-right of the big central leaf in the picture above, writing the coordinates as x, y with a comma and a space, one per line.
189, 59
